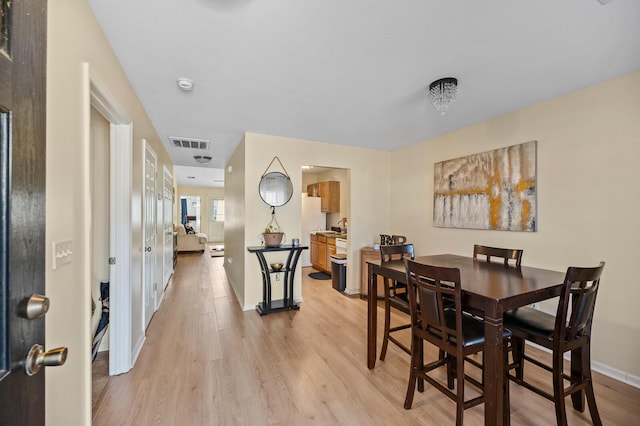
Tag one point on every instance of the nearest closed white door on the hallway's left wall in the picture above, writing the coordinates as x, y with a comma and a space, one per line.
149, 226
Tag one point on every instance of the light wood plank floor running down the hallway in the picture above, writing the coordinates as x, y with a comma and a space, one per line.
206, 362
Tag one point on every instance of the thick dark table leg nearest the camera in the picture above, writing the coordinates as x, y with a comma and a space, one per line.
494, 408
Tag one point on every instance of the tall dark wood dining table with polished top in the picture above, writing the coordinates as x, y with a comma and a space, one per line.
491, 287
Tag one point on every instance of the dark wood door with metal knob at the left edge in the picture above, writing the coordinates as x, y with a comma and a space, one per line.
22, 204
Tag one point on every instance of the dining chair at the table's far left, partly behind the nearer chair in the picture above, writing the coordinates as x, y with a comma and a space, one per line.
395, 295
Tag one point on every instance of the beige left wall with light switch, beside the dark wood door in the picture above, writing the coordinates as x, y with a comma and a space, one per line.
74, 37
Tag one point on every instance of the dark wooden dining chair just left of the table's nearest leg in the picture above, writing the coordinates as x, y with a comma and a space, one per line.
432, 290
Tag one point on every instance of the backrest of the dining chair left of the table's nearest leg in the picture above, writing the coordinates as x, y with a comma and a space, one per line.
431, 292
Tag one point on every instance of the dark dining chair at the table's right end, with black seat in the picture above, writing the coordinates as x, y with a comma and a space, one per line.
568, 330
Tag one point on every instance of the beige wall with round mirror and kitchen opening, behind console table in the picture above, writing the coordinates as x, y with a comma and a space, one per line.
369, 184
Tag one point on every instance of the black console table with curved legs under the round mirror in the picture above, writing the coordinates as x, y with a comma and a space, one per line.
267, 305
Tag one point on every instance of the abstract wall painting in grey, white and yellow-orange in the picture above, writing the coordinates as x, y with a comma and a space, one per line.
491, 190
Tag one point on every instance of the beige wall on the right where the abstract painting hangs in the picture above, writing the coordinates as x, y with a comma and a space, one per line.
588, 200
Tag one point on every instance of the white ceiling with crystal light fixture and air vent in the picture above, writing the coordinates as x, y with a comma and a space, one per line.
356, 72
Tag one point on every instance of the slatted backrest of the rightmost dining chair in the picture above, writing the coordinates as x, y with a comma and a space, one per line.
577, 301
